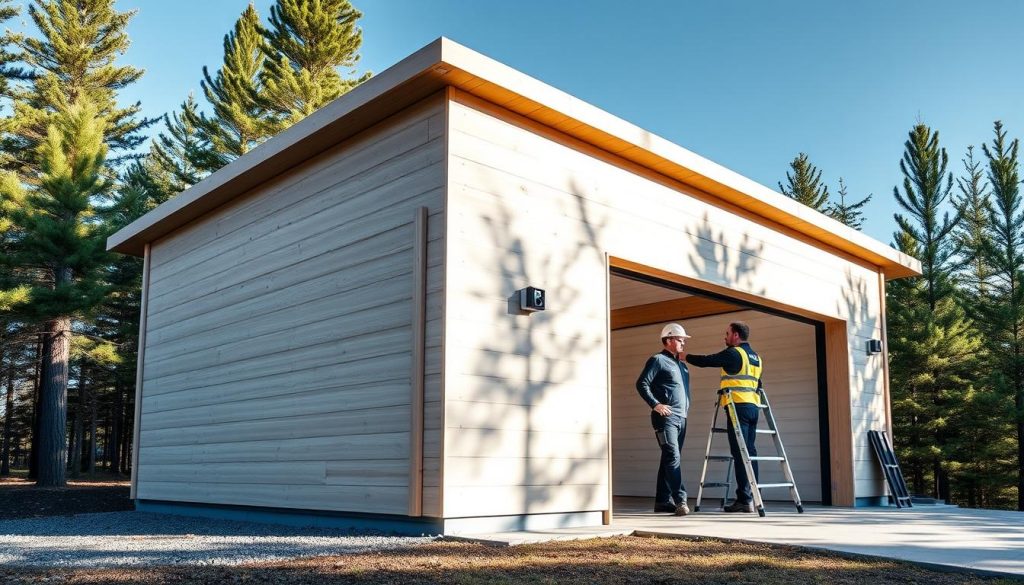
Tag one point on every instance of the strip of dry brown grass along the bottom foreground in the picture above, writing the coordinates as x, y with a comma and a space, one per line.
626, 561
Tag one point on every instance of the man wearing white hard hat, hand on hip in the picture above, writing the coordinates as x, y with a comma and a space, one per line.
665, 386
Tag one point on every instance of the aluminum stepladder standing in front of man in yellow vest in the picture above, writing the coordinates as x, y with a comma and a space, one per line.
746, 456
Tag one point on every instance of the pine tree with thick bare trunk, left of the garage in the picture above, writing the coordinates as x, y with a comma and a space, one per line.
63, 241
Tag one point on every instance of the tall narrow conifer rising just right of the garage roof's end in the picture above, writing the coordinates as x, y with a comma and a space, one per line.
926, 187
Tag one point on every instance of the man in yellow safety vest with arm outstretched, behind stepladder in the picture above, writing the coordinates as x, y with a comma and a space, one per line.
742, 377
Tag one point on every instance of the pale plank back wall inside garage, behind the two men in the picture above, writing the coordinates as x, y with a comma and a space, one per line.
788, 349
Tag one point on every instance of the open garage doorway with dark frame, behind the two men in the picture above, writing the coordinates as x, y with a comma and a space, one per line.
793, 350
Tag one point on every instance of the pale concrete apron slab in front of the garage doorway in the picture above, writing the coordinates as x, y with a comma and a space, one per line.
948, 538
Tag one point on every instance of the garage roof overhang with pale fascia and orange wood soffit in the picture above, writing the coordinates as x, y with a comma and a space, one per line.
444, 64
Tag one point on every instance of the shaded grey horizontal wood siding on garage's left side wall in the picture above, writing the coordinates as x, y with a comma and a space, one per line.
278, 356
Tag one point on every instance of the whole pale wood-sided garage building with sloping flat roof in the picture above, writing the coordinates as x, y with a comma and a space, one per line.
332, 324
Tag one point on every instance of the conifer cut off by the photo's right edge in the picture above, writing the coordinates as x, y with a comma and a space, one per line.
1005, 254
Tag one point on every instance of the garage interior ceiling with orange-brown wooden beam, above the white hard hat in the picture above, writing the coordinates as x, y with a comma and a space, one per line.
635, 304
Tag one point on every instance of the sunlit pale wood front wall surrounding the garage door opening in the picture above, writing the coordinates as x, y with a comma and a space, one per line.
530, 206
